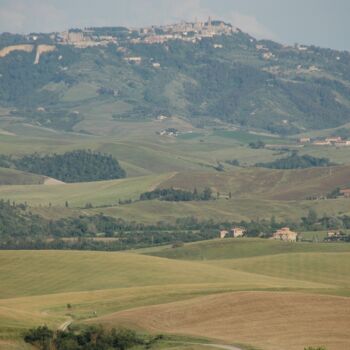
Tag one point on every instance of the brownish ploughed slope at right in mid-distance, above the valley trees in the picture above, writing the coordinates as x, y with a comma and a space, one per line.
266, 183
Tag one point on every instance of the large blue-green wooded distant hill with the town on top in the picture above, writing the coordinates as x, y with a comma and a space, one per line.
229, 77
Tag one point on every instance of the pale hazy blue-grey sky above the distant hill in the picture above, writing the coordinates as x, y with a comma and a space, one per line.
321, 22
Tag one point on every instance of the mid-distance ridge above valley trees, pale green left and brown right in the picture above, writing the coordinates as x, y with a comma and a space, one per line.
251, 183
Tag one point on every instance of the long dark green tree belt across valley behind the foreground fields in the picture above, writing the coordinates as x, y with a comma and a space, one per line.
21, 229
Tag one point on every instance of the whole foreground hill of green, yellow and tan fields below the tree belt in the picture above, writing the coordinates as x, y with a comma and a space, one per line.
140, 291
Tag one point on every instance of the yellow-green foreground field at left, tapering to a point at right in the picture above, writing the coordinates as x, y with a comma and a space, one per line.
40, 272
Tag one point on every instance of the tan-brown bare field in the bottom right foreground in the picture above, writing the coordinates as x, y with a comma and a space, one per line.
271, 321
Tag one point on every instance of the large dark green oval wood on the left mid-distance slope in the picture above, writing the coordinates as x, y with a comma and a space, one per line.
76, 166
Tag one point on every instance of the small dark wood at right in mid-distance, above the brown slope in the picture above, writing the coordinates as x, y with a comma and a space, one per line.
295, 161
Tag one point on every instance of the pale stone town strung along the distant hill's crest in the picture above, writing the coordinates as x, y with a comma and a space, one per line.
191, 32
